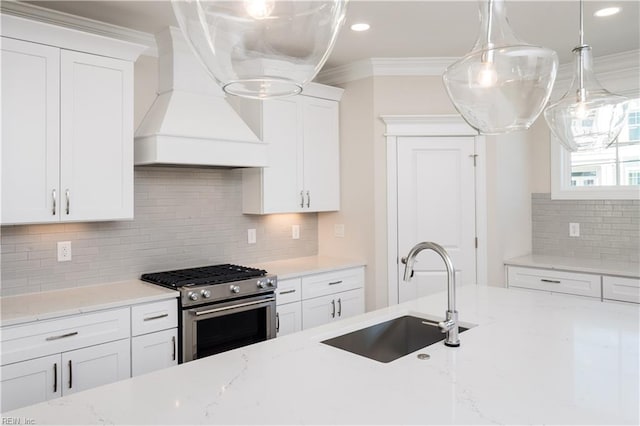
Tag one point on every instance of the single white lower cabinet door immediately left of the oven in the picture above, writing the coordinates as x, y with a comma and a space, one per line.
154, 351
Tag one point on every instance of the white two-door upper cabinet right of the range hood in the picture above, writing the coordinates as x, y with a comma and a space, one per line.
303, 174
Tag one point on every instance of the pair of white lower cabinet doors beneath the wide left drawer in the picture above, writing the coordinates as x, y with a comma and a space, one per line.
37, 380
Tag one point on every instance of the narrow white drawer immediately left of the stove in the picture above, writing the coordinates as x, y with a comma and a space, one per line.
155, 316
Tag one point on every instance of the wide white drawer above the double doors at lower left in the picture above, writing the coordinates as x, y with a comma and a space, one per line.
32, 340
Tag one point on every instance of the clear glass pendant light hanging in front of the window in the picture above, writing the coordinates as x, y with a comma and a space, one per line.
587, 117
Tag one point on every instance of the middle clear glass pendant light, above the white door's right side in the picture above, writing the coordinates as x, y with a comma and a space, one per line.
503, 84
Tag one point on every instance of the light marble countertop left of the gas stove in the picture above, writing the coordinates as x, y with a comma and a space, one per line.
70, 301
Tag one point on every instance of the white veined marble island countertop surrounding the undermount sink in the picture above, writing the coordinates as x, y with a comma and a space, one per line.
533, 358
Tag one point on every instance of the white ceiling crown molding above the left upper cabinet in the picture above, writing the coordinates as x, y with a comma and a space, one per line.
41, 14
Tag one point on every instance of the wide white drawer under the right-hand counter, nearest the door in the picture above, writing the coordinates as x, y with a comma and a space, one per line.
555, 281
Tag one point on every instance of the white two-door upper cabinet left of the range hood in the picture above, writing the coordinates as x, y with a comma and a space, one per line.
67, 134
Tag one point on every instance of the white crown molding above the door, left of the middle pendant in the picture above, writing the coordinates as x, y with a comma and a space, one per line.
378, 67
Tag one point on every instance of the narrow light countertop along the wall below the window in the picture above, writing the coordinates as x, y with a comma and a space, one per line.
590, 266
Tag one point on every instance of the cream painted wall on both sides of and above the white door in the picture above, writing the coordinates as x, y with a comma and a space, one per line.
363, 167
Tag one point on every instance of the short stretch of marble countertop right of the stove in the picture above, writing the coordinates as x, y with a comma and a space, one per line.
298, 267
